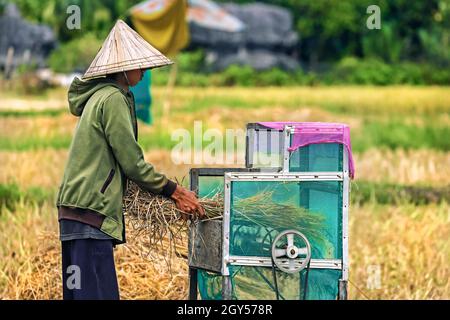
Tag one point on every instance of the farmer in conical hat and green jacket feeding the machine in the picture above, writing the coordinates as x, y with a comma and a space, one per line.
104, 153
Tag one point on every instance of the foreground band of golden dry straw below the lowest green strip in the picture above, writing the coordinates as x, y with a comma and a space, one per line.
409, 244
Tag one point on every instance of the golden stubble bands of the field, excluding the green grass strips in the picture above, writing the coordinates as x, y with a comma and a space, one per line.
407, 244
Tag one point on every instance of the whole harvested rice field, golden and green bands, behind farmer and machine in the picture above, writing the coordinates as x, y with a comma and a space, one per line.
399, 212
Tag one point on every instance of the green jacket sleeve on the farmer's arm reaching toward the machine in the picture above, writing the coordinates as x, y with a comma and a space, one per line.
118, 128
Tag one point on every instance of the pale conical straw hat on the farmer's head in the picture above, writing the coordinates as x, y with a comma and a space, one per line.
123, 50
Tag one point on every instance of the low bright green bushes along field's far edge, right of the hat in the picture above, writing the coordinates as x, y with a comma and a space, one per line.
349, 70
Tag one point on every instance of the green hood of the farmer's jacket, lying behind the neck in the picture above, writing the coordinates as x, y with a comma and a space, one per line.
80, 92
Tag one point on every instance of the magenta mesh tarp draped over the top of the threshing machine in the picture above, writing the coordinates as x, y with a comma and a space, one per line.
306, 133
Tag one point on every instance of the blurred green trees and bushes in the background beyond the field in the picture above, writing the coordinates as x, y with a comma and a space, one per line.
414, 36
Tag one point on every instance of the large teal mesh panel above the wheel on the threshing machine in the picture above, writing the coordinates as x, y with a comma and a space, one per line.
260, 210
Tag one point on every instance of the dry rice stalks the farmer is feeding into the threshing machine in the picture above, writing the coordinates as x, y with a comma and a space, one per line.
155, 218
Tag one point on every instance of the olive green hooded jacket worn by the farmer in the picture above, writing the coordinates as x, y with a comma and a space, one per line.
104, 153
